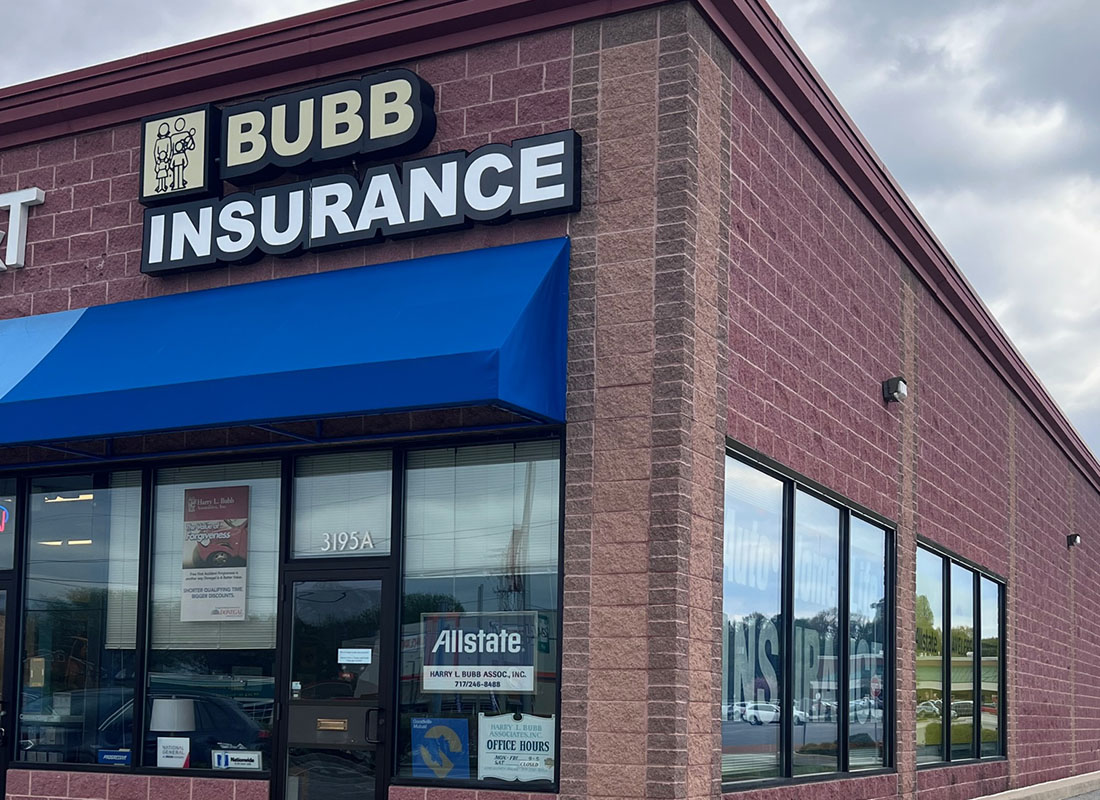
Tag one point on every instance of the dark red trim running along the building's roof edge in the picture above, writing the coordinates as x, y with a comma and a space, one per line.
364, 36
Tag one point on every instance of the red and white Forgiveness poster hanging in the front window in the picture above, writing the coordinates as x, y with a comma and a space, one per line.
215, 558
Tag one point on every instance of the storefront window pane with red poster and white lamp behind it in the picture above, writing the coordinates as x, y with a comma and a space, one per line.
212, 665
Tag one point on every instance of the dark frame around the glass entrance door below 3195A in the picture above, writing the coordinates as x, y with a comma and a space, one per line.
304, 572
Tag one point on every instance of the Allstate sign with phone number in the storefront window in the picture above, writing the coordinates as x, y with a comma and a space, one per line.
479, 653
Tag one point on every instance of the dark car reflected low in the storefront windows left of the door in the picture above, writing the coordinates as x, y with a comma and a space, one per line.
104, 721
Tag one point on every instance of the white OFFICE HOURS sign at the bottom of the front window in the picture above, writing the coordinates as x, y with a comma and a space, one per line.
512, 749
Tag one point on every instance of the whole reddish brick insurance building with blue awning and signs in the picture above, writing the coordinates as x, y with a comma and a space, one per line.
499, 412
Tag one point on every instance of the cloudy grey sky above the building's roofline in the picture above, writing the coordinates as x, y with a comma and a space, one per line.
984, 111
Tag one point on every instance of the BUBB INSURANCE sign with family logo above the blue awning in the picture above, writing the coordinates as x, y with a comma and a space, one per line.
362, 120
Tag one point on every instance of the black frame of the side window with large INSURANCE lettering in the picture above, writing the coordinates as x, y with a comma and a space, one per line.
795, 483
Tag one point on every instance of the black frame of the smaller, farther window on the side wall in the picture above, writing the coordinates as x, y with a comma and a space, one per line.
978, 573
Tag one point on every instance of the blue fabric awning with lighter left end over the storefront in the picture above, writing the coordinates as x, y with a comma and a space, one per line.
486, 327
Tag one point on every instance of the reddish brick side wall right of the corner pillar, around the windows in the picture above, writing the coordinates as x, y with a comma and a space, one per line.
822, 311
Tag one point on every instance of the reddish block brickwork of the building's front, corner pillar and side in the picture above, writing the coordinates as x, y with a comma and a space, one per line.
722, 283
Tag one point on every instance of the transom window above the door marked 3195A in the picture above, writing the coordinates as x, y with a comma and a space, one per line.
343, 506
